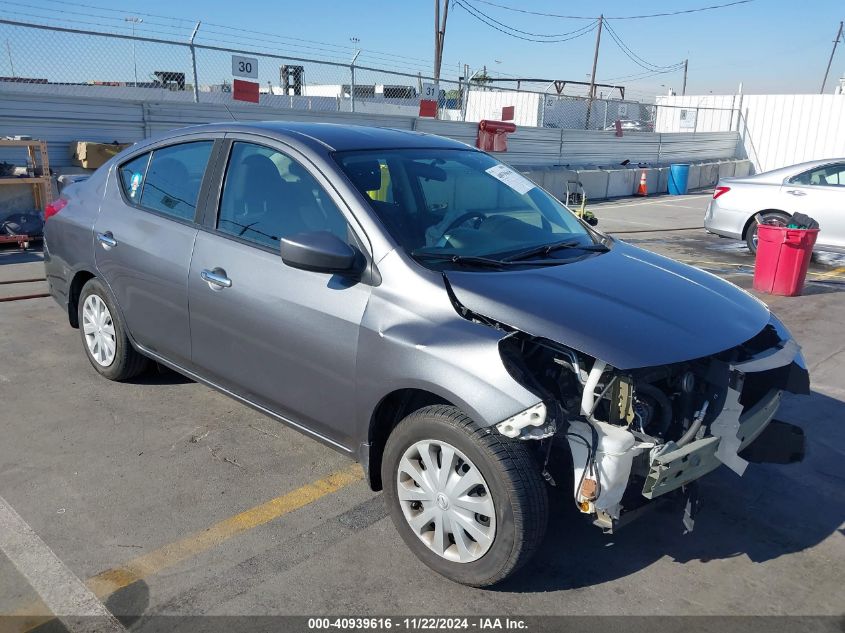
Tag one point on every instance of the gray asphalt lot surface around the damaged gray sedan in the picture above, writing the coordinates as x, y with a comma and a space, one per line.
164, 497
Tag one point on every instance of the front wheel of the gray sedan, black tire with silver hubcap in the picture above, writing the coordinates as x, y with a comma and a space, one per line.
469, 503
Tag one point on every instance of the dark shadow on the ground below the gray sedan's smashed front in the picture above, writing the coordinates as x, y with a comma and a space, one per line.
771, 511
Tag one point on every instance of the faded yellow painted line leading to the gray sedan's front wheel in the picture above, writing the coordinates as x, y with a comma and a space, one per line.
111, 580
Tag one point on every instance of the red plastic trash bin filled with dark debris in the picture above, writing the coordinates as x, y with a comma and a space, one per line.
783, 256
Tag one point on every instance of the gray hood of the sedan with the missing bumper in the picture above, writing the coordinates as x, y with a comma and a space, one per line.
628, 307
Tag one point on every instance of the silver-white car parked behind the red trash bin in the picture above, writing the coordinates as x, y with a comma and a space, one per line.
815, 188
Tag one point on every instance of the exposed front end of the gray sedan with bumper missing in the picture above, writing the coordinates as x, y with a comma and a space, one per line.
636, 435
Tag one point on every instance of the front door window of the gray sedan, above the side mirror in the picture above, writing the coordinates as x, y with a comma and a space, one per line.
267, 196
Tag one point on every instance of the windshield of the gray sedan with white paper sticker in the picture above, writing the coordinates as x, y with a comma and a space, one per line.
448, 207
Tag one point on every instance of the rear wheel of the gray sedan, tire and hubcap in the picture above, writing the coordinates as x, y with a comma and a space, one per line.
104, 337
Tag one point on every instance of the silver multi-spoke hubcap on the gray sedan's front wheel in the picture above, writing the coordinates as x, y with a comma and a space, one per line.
446, 501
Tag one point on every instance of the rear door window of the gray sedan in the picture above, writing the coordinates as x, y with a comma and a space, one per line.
173, 179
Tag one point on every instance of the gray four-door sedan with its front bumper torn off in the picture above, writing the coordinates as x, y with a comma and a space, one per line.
419, 306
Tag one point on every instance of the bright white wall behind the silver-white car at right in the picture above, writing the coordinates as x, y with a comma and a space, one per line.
775, 130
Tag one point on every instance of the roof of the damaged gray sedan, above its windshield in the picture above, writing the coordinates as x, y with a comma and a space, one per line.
334, 136
